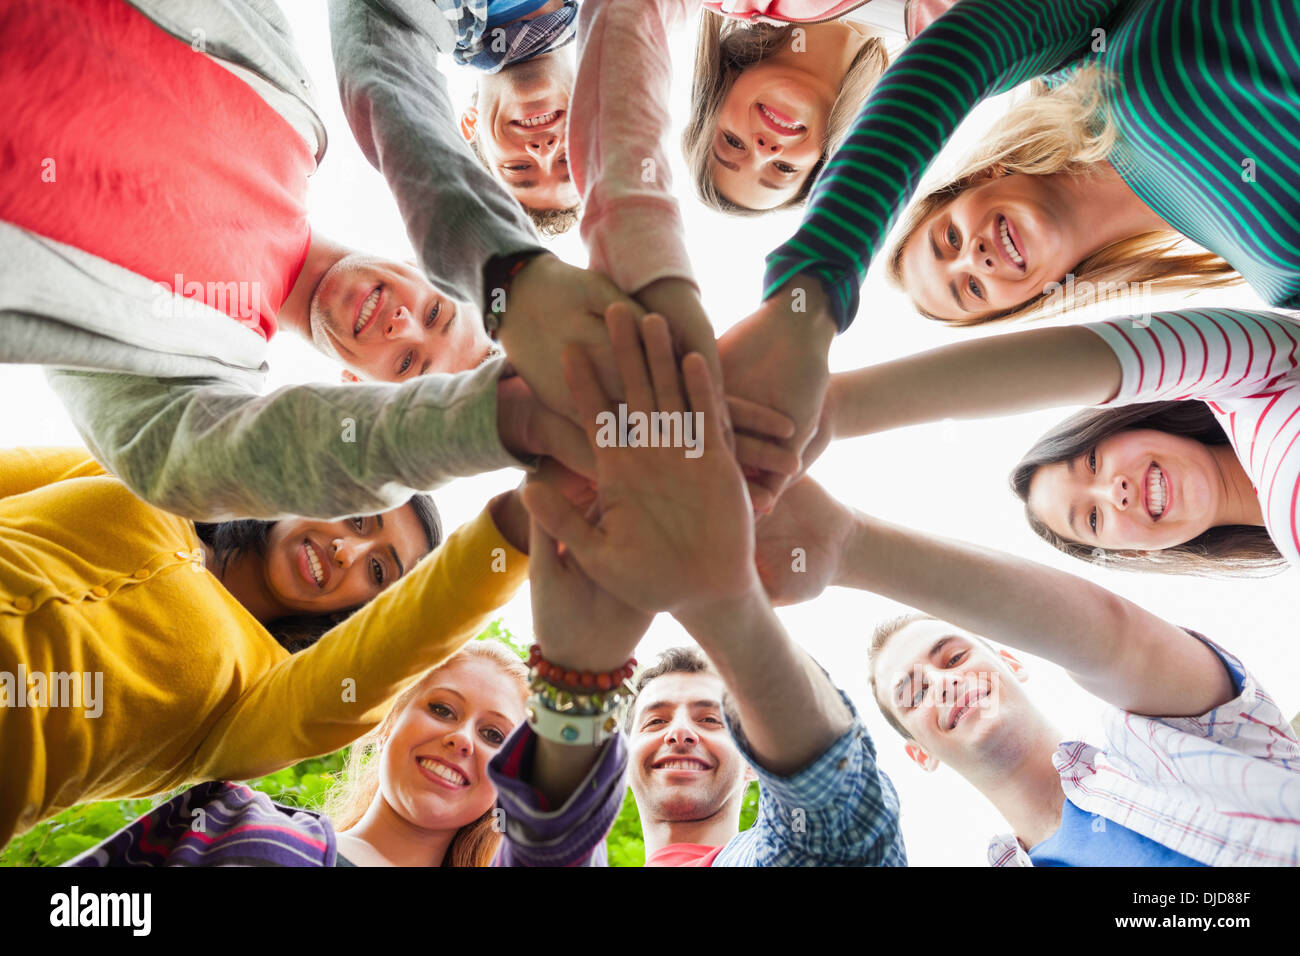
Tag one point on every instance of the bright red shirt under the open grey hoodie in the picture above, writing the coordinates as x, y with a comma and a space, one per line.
129, 144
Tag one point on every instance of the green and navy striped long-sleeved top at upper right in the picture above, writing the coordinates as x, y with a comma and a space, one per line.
1203, 93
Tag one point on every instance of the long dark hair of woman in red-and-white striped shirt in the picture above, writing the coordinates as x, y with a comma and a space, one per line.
1227, 550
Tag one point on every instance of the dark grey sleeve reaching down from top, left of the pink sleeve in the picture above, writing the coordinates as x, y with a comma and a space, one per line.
397, 103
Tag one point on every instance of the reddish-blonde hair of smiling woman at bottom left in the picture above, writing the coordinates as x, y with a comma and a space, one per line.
476, 843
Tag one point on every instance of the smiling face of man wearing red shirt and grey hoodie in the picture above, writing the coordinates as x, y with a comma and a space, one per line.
387, 323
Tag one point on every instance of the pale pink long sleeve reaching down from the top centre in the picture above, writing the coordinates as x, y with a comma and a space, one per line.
619, 118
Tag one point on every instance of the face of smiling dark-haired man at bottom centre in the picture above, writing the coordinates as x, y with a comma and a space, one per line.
684, 764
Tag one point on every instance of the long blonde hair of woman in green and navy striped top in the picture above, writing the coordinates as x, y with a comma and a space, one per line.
1068, 131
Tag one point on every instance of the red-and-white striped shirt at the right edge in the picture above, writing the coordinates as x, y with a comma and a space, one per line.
1246, 367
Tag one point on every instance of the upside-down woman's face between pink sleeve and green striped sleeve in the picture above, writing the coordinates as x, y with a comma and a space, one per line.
770, 133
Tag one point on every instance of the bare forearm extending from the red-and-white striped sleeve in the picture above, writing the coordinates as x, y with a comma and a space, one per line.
986, 378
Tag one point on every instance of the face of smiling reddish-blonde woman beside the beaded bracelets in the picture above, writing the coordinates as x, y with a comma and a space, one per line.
434, 769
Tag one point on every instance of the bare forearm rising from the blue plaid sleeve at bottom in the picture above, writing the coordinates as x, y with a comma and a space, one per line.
790, 712
